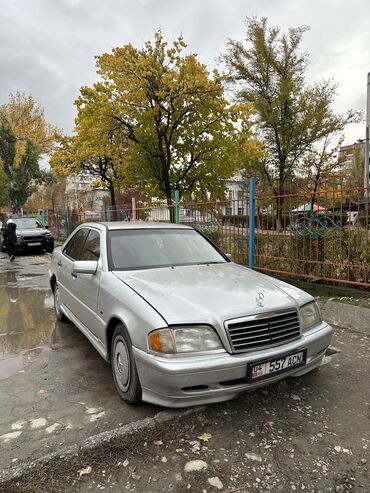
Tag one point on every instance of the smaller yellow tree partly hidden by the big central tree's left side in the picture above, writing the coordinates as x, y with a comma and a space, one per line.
95, 148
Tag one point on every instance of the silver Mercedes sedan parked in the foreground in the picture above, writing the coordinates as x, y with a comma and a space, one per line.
179, 322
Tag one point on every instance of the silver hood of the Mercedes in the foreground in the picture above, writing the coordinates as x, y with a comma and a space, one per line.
210, 293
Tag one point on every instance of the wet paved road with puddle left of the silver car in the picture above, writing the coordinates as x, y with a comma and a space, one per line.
54, 388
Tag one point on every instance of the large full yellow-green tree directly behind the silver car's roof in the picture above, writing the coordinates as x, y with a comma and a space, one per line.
181, 132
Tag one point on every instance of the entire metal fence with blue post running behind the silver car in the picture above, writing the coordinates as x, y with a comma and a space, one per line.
317, 236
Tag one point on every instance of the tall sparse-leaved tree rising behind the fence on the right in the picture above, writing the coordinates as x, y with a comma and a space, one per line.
269, 69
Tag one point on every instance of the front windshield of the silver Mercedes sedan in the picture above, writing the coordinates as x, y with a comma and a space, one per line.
132, 249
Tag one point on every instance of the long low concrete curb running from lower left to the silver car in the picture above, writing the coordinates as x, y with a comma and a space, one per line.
123, 432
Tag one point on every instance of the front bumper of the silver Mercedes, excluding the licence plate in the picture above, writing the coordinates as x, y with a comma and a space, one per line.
206, 378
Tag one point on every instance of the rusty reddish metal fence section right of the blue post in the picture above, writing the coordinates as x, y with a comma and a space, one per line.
321, 235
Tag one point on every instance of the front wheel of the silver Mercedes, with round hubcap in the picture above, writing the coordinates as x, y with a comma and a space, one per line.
125, 376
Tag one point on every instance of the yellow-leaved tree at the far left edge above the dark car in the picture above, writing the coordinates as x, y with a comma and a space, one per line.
25, 137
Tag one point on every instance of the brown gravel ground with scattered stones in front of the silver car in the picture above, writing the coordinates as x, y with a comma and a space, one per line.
308, 434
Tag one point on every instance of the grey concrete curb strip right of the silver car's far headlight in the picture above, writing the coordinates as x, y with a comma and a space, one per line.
346, 315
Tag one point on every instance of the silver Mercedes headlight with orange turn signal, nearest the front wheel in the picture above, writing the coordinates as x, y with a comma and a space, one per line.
184, 340
